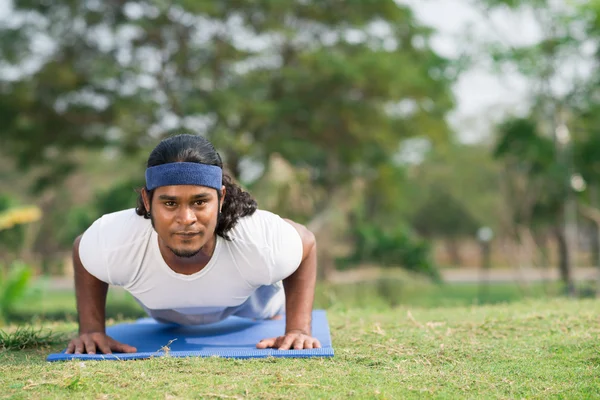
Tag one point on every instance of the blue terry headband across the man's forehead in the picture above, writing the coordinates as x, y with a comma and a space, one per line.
184, 173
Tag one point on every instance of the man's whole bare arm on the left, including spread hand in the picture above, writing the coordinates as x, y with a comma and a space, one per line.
91, 309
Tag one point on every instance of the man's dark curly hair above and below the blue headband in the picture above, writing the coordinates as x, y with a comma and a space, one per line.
193, 148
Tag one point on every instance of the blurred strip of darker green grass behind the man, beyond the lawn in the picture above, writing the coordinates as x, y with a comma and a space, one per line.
378, 294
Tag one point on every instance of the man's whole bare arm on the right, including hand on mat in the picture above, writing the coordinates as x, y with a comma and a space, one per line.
299, 295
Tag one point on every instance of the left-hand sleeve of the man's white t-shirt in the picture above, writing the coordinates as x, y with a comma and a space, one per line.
92, 254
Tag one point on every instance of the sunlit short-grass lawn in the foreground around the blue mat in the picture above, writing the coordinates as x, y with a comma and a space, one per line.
525, 349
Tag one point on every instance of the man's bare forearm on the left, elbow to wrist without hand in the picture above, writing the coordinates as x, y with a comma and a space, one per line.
91, 297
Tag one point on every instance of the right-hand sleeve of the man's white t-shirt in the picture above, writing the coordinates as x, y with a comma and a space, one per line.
285, 246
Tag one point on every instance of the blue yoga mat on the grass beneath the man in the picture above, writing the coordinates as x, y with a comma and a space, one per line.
233, 337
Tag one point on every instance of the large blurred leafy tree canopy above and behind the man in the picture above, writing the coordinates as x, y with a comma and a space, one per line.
333, 87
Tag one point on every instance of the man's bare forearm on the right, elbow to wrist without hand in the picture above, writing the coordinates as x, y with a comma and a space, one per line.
299, 291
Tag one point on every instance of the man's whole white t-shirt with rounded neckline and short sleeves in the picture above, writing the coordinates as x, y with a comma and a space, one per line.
122, 249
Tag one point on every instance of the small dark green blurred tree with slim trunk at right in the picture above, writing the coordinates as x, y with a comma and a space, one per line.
535, 186
